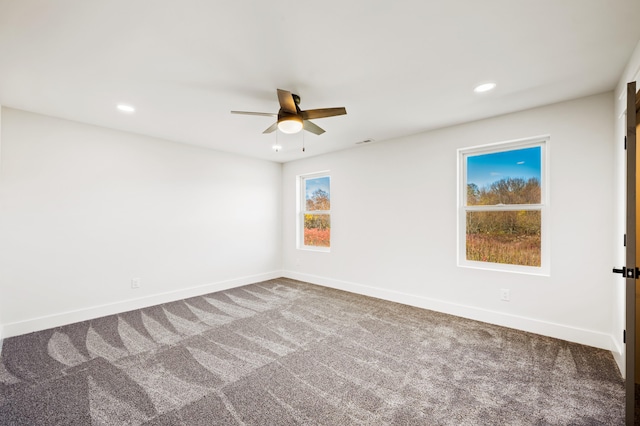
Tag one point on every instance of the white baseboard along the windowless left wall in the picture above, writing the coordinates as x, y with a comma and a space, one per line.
69, 317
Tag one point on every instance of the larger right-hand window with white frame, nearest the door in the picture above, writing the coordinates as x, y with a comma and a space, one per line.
503, 207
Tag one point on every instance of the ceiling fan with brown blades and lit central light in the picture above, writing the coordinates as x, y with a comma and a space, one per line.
291, 119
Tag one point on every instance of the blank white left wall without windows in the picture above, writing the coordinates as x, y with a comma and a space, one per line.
85, 209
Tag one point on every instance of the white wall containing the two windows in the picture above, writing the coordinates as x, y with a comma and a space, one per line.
394, 224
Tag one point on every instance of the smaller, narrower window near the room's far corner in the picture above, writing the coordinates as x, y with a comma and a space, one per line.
314, 219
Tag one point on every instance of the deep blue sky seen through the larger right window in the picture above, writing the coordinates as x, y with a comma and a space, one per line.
485, 169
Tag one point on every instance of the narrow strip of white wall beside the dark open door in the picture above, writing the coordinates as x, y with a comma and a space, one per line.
631, 73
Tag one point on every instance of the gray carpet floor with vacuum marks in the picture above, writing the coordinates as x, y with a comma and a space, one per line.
284, 352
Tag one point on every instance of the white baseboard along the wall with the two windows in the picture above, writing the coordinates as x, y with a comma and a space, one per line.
532, 325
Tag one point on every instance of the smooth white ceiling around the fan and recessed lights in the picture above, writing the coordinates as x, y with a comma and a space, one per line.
399, 67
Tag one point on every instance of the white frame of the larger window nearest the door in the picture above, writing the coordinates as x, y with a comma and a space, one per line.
543, 207
